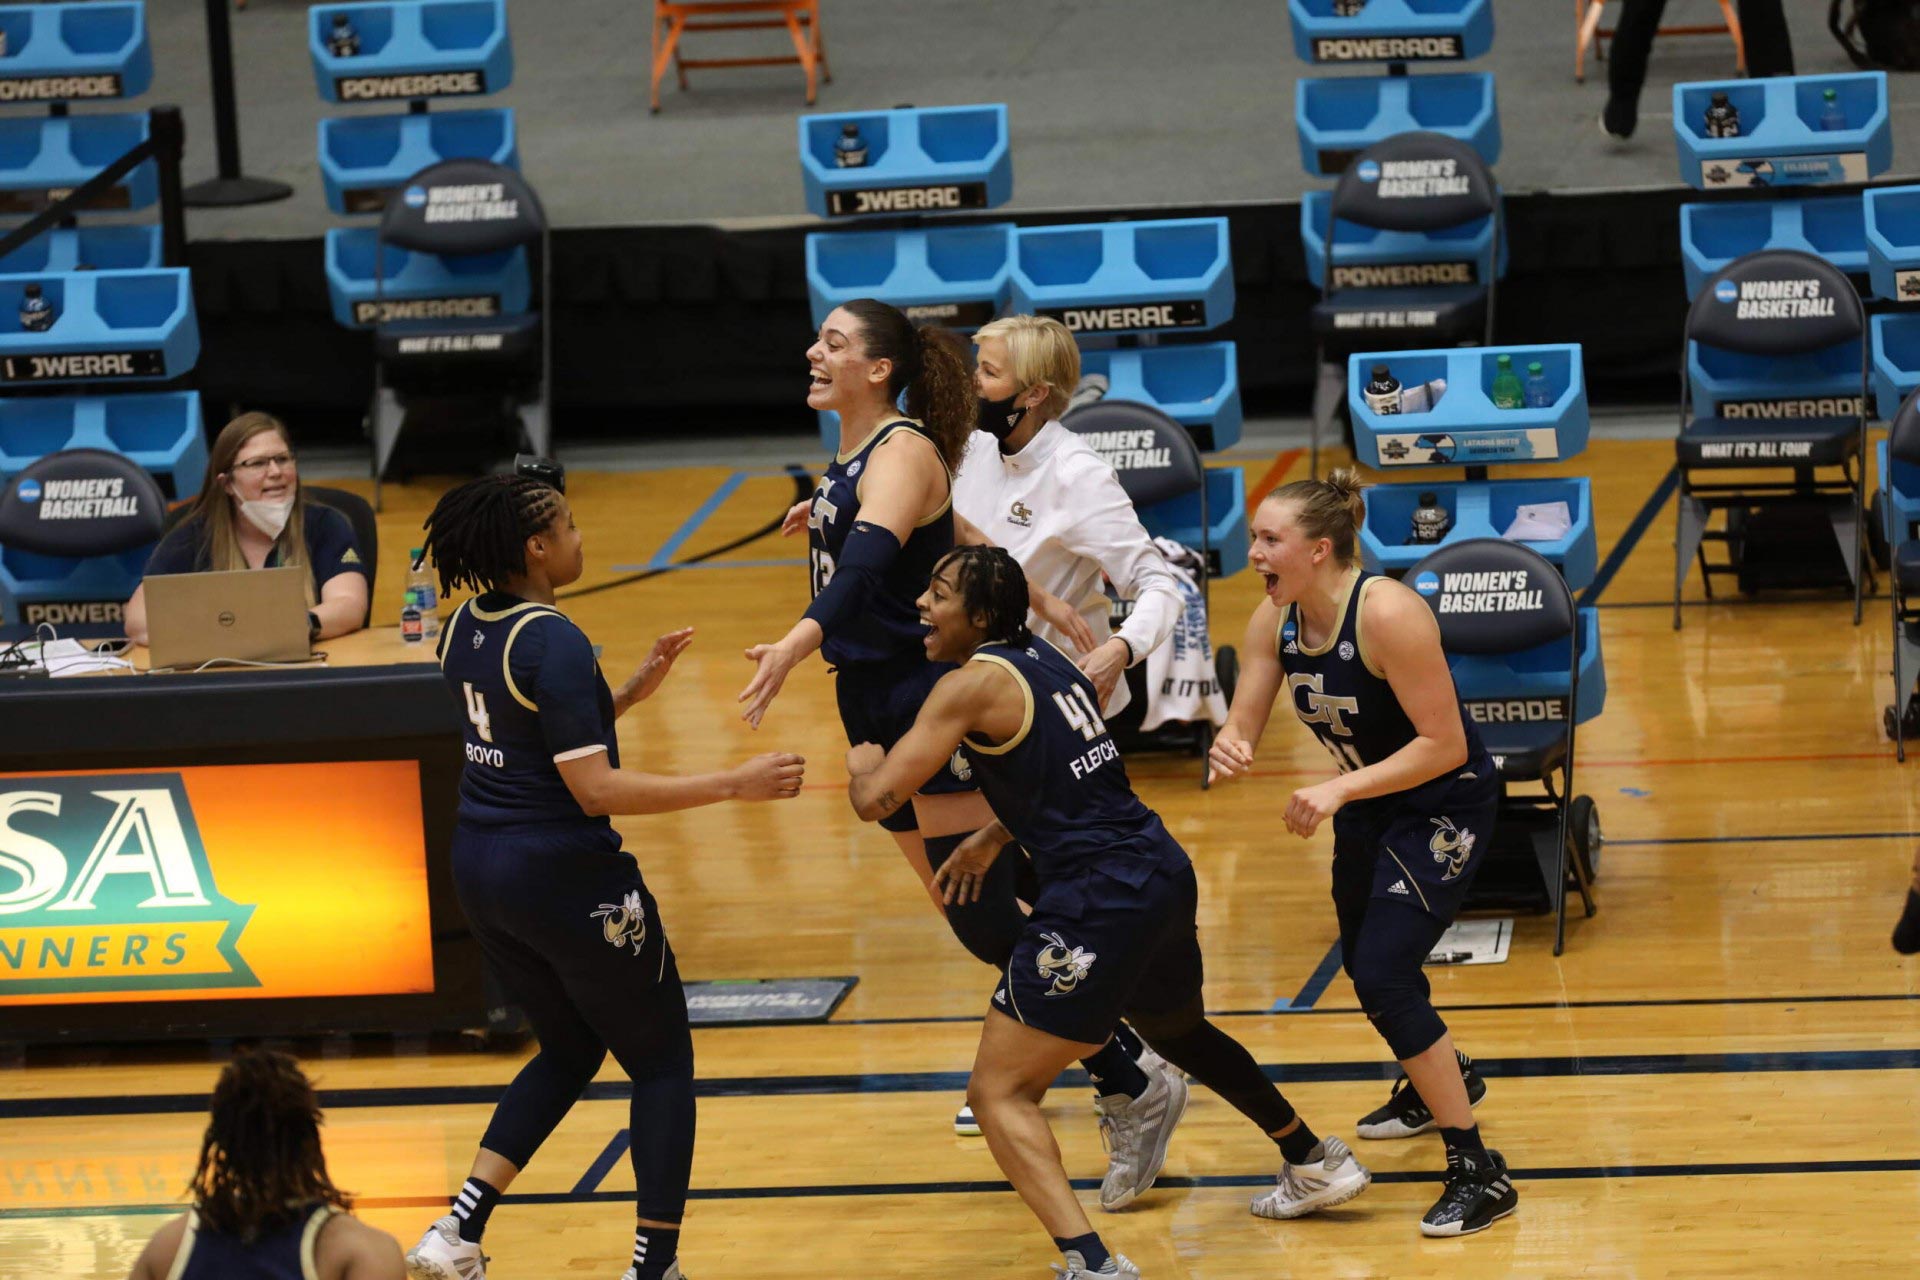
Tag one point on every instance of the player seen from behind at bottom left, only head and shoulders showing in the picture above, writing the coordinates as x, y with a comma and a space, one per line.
264, 1206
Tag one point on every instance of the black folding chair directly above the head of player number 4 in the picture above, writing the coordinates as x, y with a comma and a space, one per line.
469, 371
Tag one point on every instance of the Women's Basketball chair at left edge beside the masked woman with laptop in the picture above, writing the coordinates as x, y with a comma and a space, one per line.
76, 559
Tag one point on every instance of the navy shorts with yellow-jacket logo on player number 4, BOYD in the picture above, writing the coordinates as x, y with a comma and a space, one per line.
575, 936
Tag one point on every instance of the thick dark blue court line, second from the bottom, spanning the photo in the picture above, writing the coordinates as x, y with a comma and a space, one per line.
955, 1081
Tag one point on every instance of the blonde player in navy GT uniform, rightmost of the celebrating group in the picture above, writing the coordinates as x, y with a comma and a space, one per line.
1412, 803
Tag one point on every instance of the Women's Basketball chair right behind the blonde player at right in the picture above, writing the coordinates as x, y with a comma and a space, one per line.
1518, 673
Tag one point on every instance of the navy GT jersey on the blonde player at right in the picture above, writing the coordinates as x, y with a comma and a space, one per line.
1341, 696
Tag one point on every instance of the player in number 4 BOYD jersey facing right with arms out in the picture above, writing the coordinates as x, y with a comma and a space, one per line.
560, 909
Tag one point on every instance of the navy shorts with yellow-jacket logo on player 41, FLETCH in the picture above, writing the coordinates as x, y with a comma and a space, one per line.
1097, 951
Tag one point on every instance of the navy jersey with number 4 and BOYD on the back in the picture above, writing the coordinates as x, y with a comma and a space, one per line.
533, 696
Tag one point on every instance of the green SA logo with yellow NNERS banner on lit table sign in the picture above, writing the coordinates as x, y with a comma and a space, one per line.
107, 886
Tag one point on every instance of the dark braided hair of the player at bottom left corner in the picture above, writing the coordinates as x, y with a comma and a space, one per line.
260, 1162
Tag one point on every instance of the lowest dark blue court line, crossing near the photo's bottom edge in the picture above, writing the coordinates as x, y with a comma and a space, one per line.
1548, 1173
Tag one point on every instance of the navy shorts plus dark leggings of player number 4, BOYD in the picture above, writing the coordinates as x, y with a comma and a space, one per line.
575, 937
